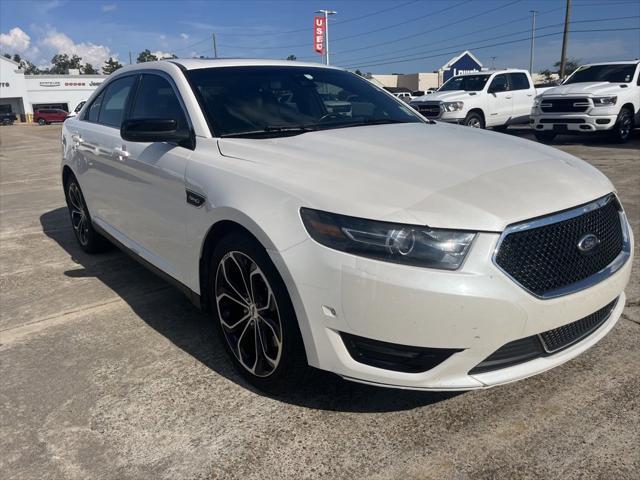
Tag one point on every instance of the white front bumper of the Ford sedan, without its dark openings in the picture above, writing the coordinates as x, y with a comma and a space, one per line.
476, 309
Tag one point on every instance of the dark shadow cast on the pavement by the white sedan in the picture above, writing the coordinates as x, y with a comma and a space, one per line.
169, 312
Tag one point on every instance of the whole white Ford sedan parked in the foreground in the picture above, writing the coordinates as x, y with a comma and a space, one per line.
366, 241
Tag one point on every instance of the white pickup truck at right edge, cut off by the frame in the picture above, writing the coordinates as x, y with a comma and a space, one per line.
596, 97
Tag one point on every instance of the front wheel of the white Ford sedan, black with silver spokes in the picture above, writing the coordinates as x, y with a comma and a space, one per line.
254, 315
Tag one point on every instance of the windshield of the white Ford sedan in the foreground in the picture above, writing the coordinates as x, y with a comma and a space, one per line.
269, 100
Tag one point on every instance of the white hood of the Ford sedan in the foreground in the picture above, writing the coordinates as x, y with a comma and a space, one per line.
439, 175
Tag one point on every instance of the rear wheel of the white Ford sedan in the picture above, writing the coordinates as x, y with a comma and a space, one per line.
89, 240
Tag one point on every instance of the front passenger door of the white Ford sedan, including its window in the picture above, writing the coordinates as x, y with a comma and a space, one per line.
152, 178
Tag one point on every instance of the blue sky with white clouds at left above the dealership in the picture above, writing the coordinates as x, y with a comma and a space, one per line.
380, 36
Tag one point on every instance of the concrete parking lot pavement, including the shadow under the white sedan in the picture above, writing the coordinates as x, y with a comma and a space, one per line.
108, 372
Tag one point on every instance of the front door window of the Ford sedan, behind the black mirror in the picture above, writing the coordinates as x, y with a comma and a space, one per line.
156, 98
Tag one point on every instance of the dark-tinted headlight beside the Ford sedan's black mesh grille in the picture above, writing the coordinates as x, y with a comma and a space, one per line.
390, 242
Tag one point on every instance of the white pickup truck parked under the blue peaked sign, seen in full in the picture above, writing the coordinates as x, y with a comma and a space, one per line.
482, 99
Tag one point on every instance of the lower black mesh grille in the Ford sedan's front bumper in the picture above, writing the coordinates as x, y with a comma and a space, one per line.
545, 343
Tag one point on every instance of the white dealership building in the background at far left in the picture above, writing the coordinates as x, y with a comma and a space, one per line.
22, 94
